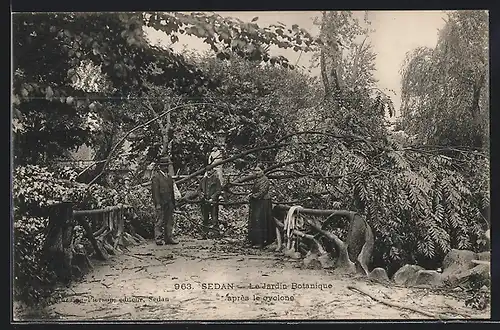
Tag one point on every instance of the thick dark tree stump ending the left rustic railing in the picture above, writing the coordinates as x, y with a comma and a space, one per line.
58, 245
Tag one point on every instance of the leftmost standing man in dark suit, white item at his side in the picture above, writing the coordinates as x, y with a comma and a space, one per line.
162, 186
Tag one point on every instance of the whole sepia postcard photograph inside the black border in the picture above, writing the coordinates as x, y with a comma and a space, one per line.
250, 165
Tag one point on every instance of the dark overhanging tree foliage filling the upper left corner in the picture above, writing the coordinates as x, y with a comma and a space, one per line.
114, 44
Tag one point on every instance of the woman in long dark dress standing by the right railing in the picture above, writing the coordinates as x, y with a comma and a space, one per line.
261, 227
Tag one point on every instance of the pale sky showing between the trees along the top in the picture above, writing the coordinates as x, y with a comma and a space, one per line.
396, 33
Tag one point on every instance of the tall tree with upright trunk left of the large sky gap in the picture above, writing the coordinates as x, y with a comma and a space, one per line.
352, 102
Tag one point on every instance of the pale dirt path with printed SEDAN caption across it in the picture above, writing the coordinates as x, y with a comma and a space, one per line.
152, 282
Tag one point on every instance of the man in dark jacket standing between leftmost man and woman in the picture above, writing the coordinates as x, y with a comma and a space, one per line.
210, 187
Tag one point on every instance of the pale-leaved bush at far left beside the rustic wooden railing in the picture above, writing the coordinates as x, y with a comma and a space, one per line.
34, 188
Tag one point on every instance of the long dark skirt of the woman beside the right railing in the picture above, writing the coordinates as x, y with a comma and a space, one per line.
262, 228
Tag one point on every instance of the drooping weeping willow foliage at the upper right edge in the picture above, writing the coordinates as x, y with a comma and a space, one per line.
445, 98
